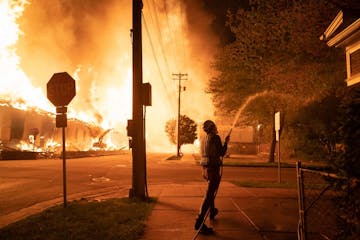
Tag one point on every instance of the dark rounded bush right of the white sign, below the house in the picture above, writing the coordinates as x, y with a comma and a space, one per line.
312, 131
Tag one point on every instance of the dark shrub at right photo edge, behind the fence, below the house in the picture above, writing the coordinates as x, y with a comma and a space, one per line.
346, 164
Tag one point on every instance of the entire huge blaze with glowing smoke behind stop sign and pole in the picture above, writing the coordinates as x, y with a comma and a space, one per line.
93, 44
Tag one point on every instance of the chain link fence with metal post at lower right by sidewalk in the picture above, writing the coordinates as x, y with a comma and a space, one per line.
318, 204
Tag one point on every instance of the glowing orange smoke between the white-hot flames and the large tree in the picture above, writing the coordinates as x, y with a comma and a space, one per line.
91, 40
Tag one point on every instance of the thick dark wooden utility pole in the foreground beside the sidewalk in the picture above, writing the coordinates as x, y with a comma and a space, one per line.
136, 125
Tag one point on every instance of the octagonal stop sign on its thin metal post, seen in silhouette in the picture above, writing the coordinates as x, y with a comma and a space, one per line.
60, 91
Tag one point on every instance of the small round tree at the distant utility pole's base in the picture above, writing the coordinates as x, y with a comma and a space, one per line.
187, 130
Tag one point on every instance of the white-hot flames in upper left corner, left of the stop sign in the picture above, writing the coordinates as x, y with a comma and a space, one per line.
15, 86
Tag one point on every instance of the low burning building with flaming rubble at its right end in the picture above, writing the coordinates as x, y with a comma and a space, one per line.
32, 132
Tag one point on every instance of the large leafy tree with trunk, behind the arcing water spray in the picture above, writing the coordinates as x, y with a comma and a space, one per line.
277, 50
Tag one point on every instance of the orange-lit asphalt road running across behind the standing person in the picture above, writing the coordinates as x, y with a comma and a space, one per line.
24, 183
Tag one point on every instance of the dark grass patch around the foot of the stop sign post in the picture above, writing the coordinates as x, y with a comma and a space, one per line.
109, 219
